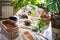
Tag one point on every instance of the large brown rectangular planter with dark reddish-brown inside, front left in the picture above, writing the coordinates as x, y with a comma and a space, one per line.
9, 33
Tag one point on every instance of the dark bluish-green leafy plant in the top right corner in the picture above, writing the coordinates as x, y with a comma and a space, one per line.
53, 6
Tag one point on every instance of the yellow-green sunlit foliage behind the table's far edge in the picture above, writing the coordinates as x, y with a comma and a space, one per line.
18, 4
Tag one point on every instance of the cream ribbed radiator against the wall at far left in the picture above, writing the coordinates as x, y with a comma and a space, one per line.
7, 10
